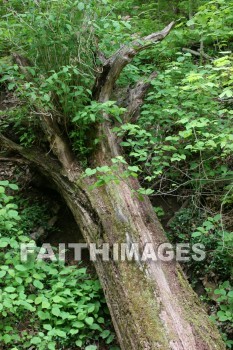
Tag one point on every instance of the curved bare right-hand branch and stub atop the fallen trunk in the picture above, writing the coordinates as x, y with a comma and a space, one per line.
108, 147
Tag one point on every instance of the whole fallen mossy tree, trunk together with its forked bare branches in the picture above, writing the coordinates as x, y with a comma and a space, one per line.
151, 303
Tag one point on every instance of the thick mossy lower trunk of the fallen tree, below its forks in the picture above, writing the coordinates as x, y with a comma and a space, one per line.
151, 303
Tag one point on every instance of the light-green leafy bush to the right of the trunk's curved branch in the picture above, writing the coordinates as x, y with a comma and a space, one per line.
189, 121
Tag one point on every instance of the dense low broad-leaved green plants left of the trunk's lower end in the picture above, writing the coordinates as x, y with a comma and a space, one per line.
46, 305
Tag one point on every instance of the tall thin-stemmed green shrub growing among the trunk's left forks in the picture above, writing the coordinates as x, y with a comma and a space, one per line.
57, 39
